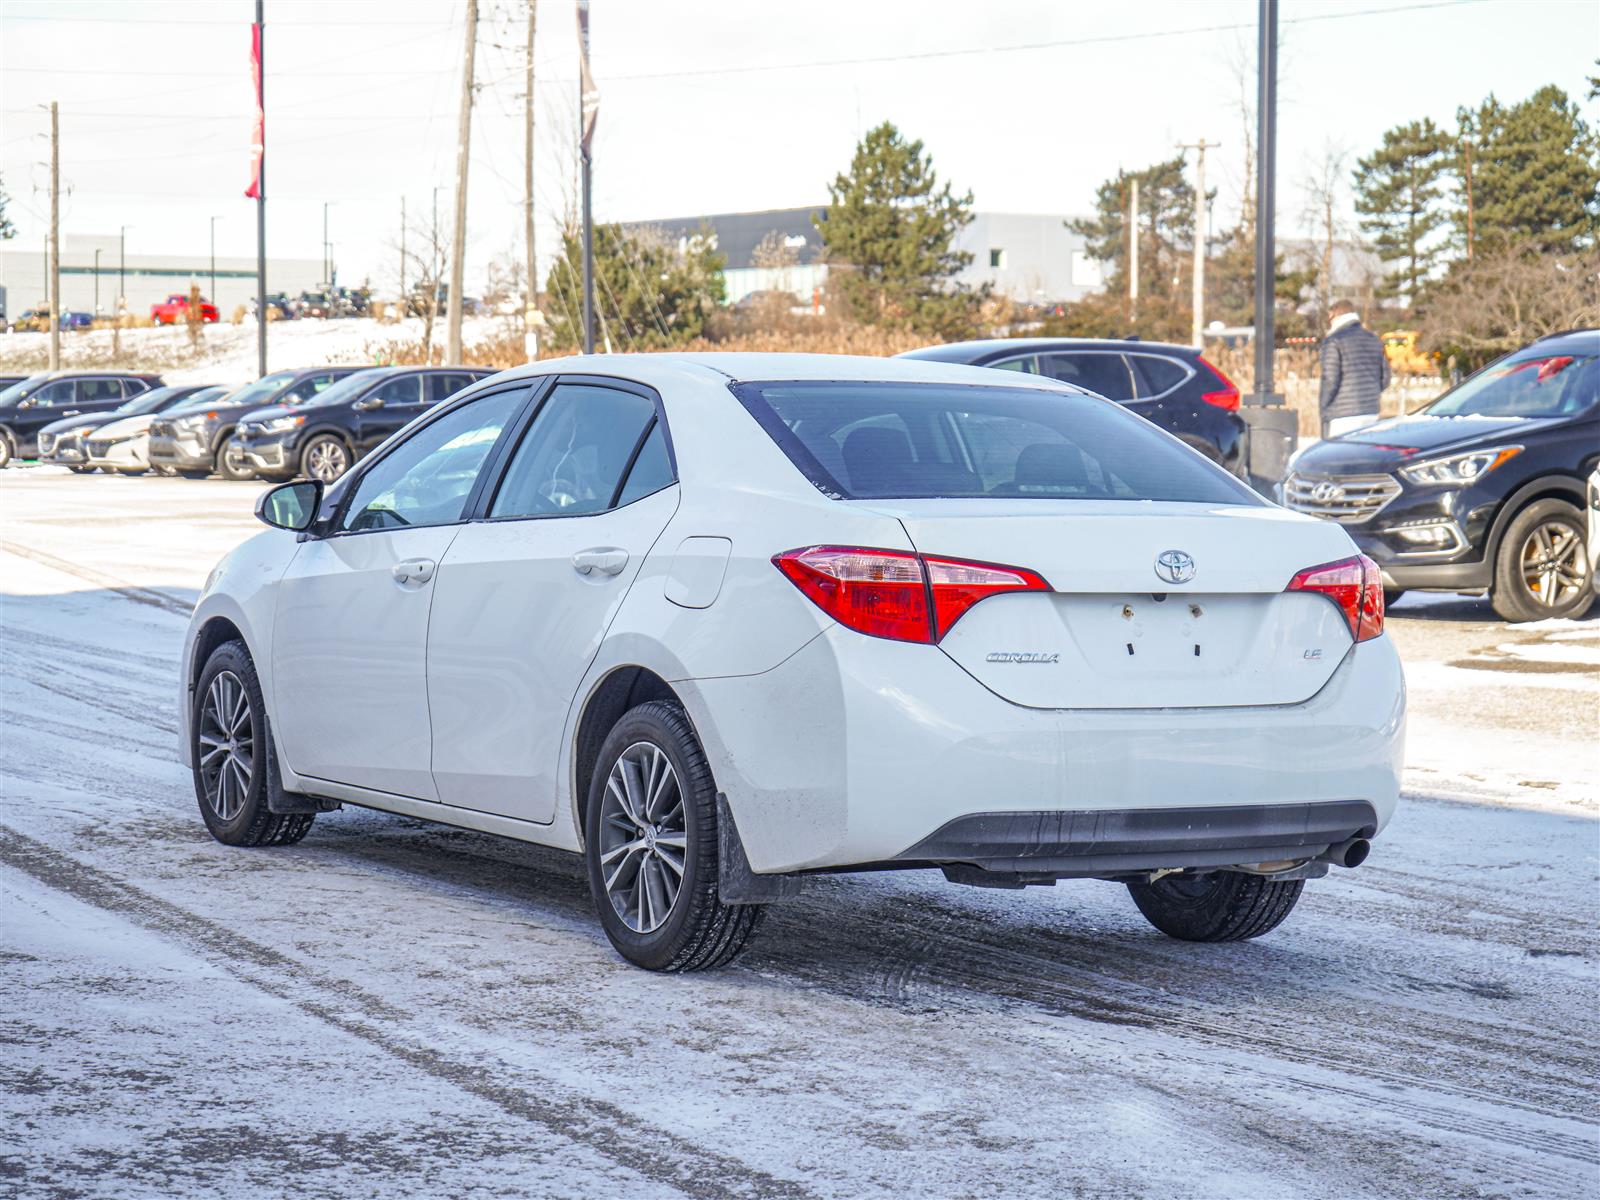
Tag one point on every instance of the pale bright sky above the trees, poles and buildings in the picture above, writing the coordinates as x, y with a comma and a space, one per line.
708, 105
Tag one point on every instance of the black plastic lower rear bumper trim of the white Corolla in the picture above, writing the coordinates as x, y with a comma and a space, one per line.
1081, 844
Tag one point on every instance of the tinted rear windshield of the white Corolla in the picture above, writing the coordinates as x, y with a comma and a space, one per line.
871, 441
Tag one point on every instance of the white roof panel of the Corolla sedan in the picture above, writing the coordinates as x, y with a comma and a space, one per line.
753, 367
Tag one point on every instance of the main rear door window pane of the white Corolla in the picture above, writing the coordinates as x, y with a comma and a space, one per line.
574, 458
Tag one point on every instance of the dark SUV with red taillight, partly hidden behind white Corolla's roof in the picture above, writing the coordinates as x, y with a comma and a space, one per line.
1172, 386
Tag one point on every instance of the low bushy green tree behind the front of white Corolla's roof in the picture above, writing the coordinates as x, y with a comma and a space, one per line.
649, 292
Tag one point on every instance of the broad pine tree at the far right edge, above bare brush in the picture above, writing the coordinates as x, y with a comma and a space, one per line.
1535, 174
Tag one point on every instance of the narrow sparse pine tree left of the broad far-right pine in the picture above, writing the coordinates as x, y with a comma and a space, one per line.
1401, 196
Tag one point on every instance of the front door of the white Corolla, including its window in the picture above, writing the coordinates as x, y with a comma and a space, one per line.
351, 630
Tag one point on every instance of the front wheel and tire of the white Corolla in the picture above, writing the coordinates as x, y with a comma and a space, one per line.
234, 764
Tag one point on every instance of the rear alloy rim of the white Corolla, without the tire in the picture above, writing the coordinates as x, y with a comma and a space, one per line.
644, 839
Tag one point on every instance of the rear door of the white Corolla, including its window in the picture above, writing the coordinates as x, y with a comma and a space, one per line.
526, 598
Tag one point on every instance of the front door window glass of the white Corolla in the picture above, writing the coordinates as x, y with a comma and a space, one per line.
428, 478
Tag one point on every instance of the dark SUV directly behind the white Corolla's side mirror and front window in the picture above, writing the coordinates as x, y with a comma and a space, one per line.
324, 436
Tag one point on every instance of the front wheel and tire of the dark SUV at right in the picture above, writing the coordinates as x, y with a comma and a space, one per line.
1543, 566
